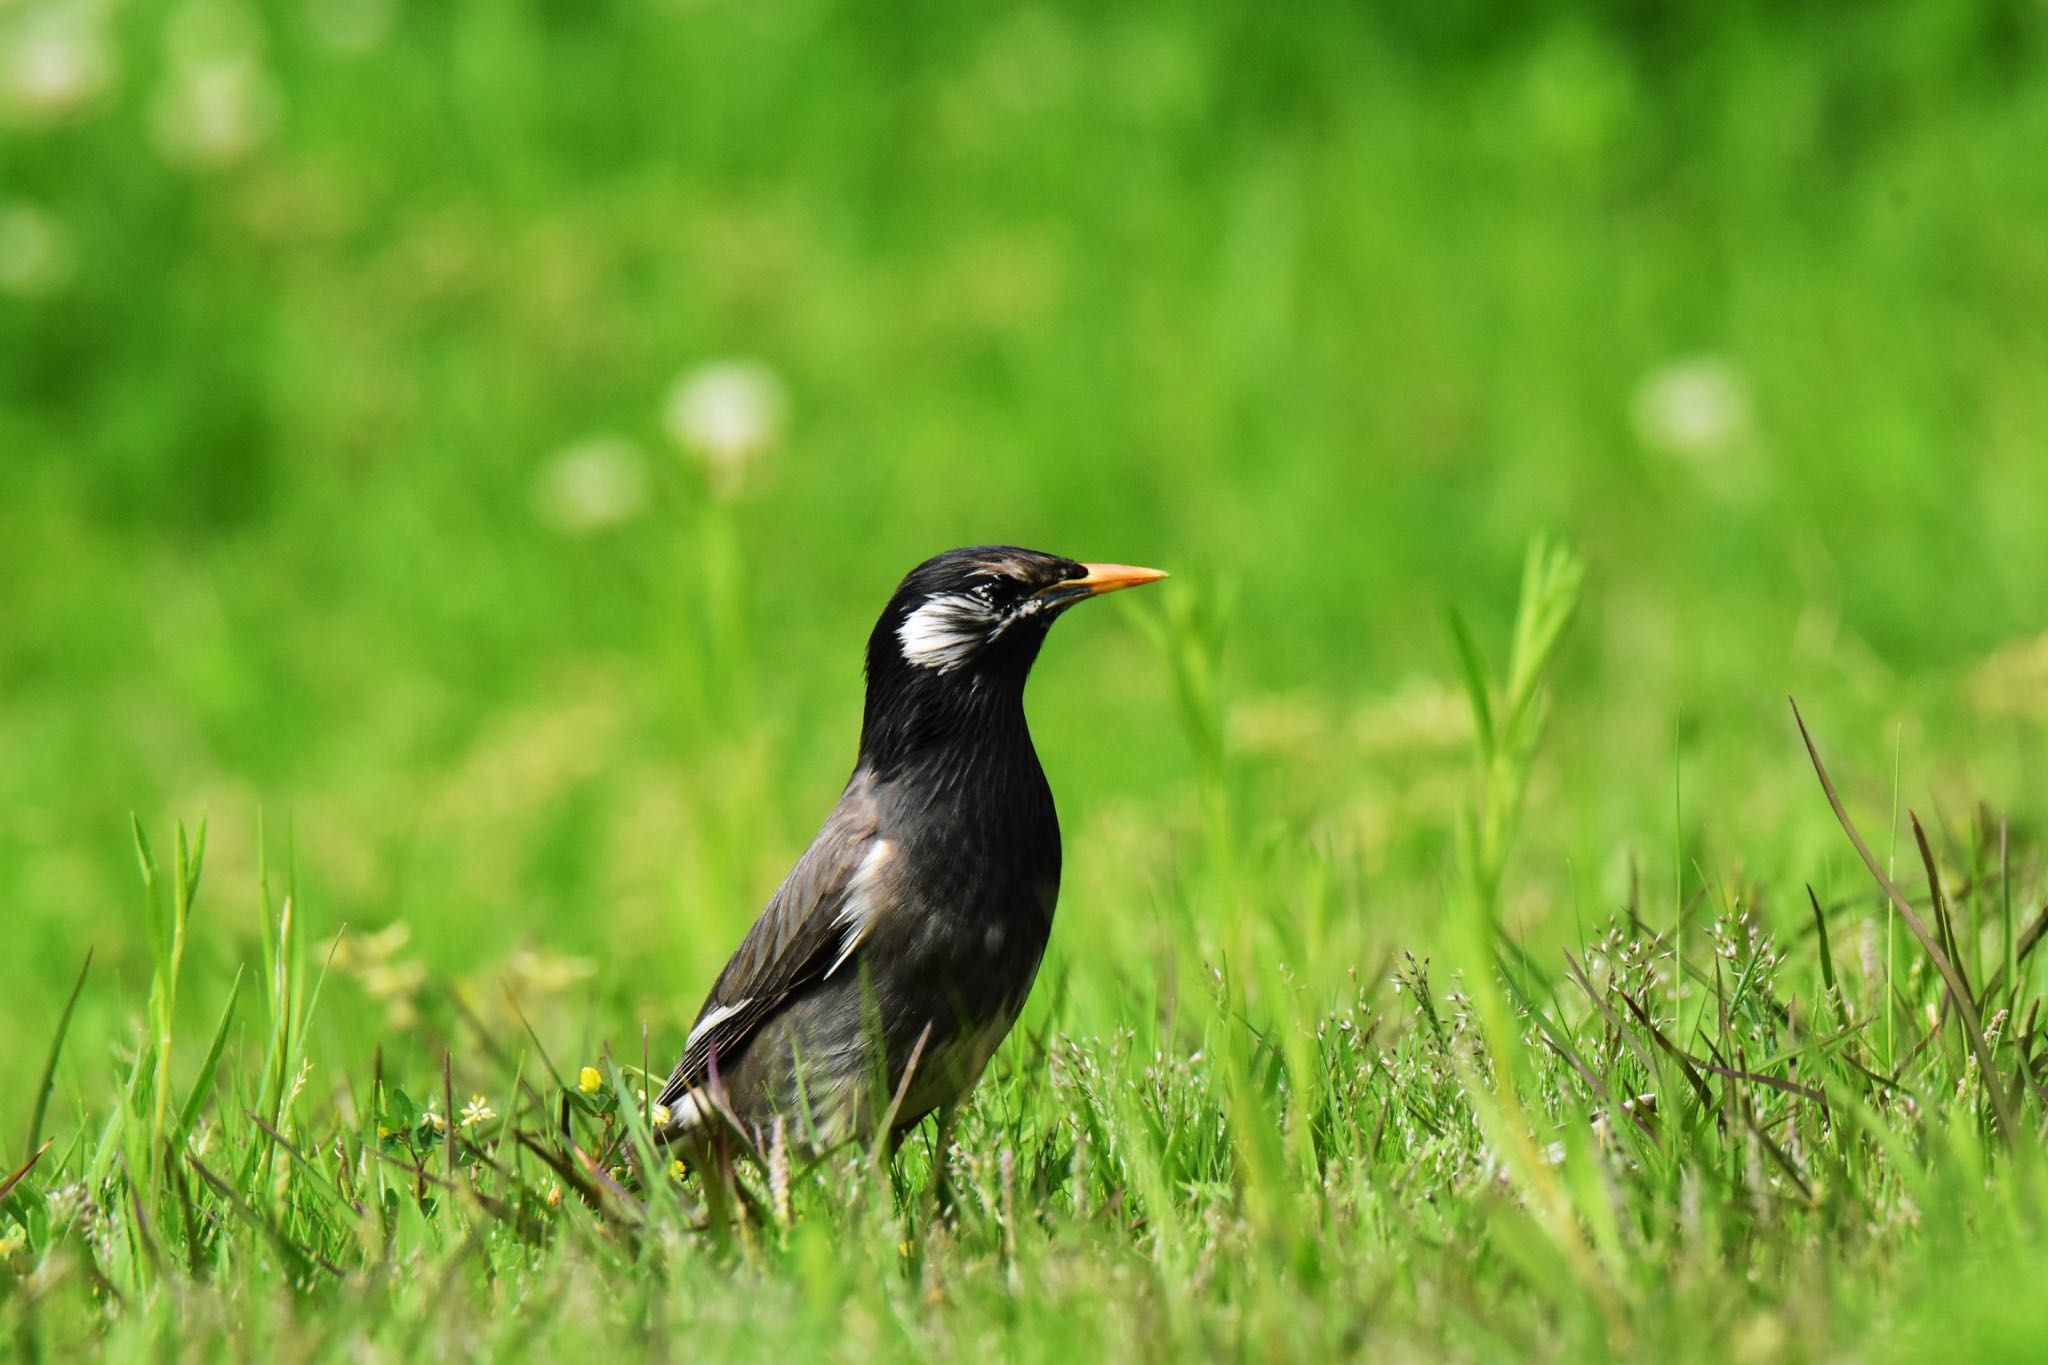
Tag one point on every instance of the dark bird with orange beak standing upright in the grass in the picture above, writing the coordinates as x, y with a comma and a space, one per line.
898, 953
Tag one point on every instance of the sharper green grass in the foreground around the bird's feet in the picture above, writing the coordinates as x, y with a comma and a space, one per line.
1637, 1155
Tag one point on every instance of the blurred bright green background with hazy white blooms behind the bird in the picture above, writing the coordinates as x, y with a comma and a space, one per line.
478, 437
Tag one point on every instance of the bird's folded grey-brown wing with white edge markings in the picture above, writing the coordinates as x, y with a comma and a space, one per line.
808, 932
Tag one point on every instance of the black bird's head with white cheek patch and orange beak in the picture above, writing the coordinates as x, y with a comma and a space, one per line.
970, 623
